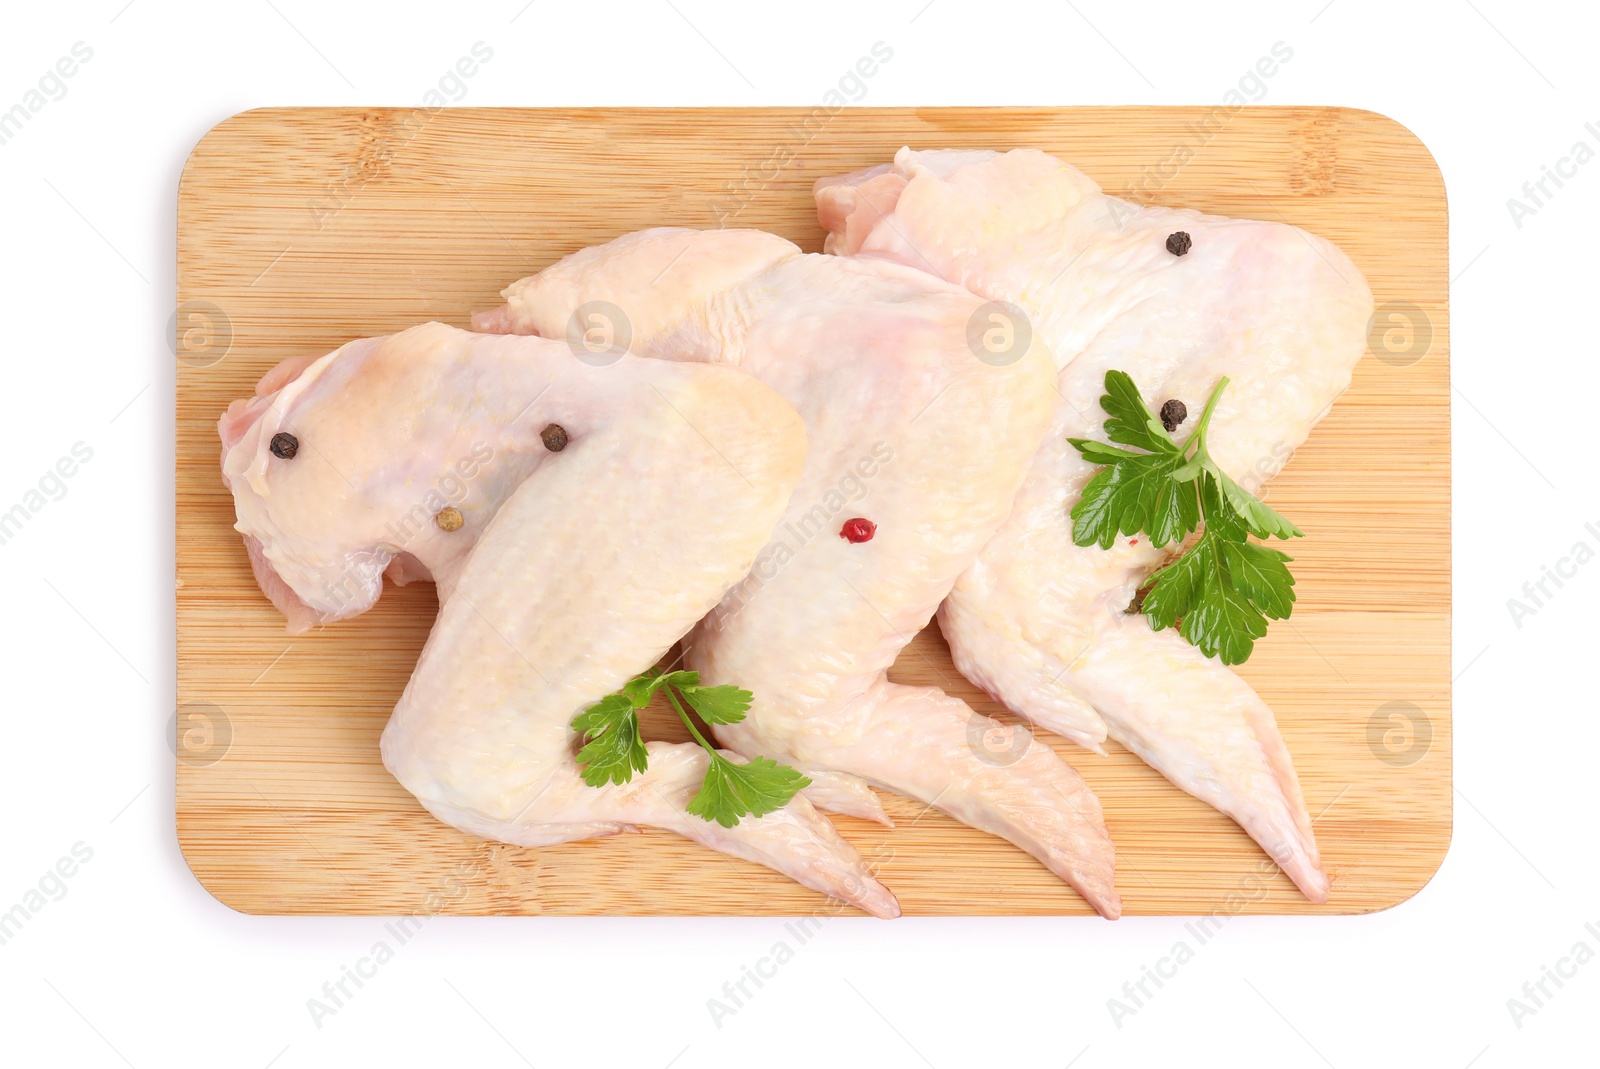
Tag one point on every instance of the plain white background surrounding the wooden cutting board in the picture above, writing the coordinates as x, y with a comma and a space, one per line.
138, 966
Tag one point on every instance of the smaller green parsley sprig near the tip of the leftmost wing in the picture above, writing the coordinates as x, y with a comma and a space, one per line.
614, 750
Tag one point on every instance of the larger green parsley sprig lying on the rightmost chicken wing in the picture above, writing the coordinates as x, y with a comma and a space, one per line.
1225, 588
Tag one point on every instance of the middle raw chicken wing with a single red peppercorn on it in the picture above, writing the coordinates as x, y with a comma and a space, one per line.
910, 431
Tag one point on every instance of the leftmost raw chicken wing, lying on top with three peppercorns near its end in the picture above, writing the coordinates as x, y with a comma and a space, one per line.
569, 574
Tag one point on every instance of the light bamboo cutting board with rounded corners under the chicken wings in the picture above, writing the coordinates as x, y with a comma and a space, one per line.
303, 228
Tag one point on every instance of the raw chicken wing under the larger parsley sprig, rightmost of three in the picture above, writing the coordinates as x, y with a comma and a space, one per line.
1039, 622
